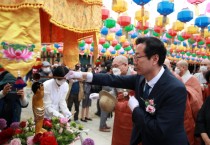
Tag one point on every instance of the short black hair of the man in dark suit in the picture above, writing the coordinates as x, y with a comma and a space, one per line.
153, 46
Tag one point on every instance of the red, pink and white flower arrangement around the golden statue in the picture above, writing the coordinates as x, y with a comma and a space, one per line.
58, 132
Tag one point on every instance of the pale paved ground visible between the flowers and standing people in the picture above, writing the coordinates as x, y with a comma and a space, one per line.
100, 138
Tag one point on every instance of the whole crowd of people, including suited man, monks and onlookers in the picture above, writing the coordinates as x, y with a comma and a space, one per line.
156, 103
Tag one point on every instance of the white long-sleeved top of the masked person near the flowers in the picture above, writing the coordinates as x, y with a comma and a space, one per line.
54, 99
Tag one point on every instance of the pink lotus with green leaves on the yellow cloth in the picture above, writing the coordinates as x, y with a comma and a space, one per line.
17, 52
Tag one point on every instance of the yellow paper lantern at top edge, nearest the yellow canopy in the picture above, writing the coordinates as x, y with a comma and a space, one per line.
119, 6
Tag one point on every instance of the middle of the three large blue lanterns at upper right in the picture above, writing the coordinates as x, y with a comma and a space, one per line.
185, 15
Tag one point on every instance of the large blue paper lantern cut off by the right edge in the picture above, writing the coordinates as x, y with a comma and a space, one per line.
202, 21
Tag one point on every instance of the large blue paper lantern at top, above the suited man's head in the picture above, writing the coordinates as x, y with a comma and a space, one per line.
165, 8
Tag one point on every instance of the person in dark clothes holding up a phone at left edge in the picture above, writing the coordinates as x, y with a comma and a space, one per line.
12, 100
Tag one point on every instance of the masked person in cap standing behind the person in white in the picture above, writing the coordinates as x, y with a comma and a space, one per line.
45, 71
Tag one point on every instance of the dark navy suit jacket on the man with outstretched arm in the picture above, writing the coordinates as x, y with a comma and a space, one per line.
166, 126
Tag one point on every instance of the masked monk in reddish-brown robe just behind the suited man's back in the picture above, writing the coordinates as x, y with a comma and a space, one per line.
194, 100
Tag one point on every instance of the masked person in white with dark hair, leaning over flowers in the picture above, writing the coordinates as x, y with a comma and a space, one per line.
55, 91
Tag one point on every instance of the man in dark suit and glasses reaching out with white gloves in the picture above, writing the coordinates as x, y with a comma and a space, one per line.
161, 123
